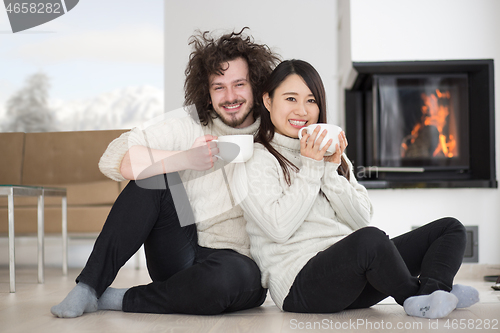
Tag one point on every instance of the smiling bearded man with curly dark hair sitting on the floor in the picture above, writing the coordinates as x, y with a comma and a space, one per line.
177, 202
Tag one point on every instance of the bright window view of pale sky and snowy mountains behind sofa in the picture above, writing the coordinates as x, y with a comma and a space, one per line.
74, 74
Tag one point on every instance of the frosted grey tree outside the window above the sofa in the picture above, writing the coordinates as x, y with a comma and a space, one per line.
28, 110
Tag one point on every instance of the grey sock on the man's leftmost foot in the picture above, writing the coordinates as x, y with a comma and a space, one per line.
78, 301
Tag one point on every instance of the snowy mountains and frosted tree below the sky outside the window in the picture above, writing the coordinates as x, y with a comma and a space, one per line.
32, 110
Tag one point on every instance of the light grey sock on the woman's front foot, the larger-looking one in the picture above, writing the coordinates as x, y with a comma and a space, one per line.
439, 304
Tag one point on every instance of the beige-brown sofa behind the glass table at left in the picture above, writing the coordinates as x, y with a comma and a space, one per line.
58, 159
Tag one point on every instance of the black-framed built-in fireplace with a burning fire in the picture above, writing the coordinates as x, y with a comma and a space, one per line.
422, 124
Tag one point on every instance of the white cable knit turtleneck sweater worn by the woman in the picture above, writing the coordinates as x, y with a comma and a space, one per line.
288, 225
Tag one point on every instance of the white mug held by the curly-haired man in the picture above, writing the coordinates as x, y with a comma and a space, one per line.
235, 148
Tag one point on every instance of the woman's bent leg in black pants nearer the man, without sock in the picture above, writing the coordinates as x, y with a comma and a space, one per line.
335, 279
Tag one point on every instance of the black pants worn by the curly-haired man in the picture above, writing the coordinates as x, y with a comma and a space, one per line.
187, 278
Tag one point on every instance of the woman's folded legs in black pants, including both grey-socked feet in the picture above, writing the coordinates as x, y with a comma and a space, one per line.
434, 252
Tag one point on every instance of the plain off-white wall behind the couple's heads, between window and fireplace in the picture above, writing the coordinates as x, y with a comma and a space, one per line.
298, 29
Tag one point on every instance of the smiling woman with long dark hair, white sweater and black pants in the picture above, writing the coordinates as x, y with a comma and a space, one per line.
307, 219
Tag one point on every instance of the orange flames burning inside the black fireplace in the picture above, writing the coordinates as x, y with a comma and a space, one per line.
435, 112
